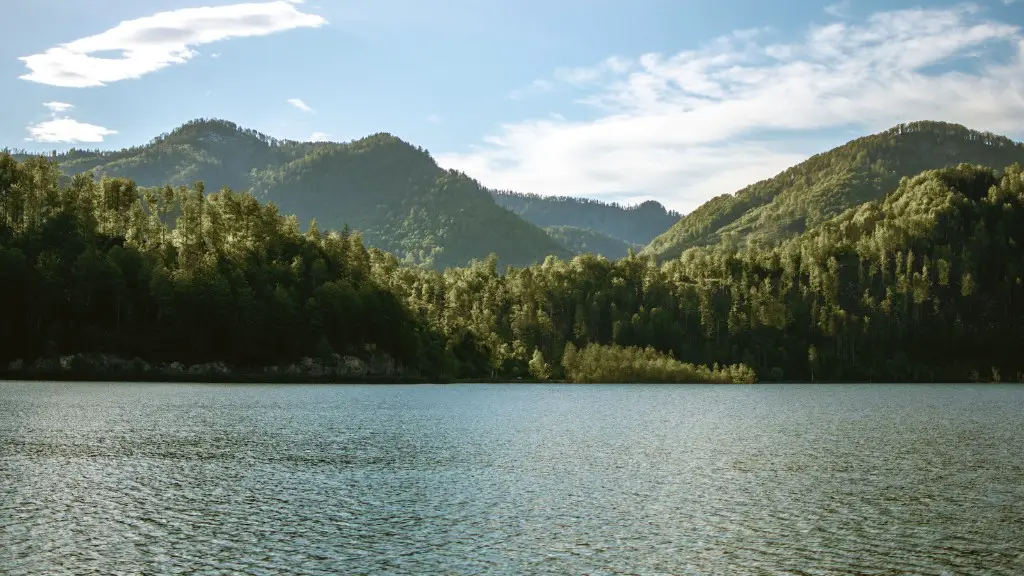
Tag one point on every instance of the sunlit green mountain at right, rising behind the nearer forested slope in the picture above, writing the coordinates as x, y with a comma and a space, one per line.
828, 184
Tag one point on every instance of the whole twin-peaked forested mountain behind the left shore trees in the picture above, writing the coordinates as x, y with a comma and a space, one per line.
393, 193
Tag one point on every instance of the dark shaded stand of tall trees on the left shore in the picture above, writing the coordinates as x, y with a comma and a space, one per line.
95, 268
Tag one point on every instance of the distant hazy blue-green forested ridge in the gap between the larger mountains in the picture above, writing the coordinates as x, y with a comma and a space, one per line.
632, 225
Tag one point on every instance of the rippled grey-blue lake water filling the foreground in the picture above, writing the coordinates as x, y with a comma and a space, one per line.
154, 479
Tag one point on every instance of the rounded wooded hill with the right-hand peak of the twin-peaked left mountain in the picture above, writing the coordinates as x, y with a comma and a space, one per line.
404, 203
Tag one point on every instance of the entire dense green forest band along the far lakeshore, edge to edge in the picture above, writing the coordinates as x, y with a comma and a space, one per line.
922, 284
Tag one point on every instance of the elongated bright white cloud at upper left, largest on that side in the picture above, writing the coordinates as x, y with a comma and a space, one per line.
151, 44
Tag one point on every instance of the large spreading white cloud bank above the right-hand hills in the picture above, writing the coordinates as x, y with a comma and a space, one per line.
686, 128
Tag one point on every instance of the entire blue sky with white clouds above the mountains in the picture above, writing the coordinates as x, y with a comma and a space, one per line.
676, 101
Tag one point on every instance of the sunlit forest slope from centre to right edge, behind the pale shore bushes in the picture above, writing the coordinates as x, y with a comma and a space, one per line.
924, 284
